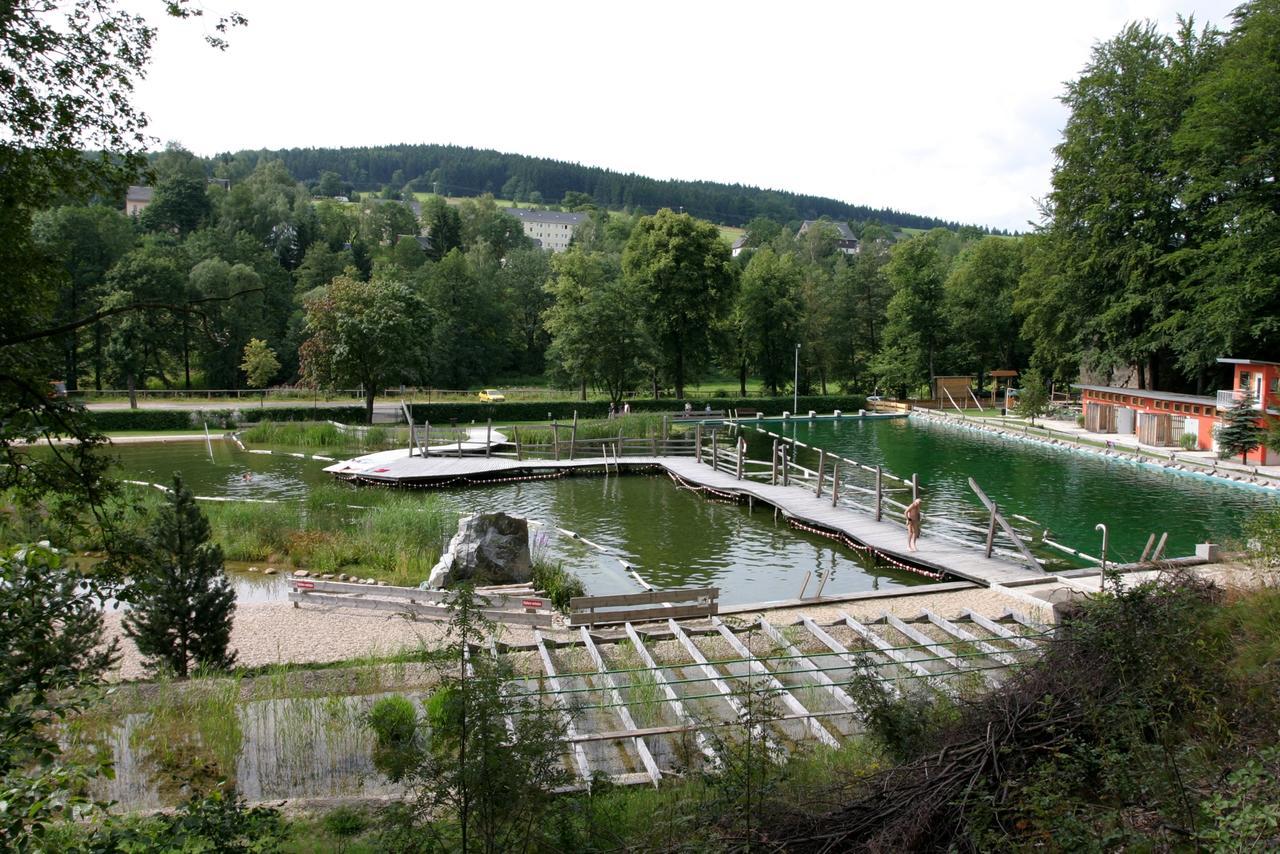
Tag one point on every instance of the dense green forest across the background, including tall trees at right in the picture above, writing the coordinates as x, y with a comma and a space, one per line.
1156, 257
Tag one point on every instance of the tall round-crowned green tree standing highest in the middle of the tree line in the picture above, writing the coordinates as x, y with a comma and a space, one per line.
683, 276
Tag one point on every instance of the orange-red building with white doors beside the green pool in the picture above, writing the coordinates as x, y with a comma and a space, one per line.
1163, 418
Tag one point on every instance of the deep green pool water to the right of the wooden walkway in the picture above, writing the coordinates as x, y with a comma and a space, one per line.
1064, 491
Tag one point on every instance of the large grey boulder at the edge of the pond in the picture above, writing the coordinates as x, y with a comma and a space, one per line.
490, 549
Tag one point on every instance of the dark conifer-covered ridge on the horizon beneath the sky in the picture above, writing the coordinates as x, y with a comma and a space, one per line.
454, 171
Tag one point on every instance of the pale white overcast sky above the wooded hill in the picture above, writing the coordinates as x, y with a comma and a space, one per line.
945, 109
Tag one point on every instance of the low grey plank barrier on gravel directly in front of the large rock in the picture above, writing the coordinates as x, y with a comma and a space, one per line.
516, 609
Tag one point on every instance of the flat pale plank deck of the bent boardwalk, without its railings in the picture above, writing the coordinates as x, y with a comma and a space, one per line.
886, 538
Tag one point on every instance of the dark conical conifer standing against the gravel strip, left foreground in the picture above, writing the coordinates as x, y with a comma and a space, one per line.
182, 604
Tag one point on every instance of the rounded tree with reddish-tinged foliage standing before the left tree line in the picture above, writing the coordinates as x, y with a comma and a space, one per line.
362, 334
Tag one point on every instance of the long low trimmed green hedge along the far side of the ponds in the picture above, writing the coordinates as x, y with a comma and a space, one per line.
108, 421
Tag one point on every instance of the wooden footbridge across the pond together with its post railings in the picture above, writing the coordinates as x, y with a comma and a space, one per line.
839, 499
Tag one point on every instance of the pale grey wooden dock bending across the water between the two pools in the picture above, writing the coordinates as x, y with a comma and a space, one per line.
689, 463
